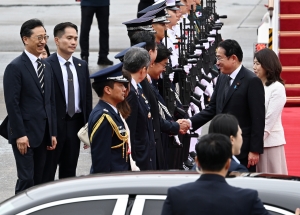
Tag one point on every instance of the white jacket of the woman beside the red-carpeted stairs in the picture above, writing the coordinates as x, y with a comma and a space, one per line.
275, 101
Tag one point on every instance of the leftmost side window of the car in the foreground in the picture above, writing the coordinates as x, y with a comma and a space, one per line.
100, 207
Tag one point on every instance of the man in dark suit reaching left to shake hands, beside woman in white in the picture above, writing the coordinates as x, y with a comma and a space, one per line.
240, 93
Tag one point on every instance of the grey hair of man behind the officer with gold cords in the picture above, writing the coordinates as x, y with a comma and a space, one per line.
135, 59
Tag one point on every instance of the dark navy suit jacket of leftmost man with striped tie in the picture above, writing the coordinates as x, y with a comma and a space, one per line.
28, 108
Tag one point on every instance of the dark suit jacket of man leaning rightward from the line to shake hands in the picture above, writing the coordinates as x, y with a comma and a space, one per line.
159, 124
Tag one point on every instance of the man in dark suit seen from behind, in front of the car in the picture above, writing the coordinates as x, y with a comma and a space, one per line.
211, 191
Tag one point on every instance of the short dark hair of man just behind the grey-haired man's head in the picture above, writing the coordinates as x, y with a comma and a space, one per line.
144, 36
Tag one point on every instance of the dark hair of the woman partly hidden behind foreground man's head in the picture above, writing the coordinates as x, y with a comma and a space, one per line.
226, 124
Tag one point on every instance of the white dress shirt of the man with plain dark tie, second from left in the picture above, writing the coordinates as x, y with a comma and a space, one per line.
62, 63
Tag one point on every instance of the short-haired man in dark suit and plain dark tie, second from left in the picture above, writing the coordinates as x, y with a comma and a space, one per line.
73, 95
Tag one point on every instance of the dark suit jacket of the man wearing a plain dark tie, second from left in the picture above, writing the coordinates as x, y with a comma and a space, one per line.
84, 86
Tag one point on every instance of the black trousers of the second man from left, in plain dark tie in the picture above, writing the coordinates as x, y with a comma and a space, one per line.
67, 150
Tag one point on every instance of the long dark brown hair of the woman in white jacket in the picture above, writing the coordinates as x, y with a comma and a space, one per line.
271, 64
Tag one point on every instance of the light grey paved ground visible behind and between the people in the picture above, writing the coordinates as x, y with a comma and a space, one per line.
243, 18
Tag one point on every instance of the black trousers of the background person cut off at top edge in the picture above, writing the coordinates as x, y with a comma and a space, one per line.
102, 15
